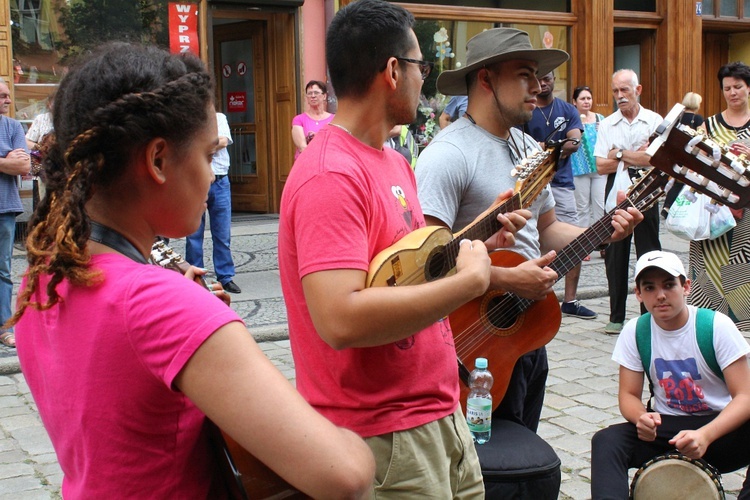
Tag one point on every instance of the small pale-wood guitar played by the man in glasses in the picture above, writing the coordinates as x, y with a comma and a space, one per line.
429, 253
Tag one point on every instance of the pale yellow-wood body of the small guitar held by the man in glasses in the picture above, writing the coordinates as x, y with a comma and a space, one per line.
416, 258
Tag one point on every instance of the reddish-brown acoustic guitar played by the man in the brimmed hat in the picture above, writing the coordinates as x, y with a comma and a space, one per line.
502, 327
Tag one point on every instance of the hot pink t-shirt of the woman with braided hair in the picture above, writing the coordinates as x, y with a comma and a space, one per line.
100, 366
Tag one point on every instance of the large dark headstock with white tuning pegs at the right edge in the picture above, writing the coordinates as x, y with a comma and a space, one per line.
707, 166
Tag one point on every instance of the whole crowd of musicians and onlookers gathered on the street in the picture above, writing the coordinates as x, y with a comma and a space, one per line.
139, 152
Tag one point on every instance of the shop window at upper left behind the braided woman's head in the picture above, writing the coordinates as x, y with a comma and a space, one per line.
48, 34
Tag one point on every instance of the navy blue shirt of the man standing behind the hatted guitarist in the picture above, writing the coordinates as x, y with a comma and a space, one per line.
558, 112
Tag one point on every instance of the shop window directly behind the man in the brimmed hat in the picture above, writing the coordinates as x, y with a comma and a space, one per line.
444, 43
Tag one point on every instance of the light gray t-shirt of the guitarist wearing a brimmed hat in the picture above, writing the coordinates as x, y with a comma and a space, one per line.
461, 172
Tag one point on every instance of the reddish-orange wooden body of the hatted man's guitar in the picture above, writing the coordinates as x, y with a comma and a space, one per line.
501, 327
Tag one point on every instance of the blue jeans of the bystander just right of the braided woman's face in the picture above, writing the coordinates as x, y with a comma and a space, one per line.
220, 213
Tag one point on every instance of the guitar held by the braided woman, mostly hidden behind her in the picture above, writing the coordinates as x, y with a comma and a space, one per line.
244, 476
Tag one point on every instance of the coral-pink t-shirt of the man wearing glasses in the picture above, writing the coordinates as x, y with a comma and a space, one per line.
342, 204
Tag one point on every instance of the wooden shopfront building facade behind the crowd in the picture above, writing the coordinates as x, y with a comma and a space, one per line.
263, 51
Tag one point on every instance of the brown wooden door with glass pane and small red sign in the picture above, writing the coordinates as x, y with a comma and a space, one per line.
239, 56
